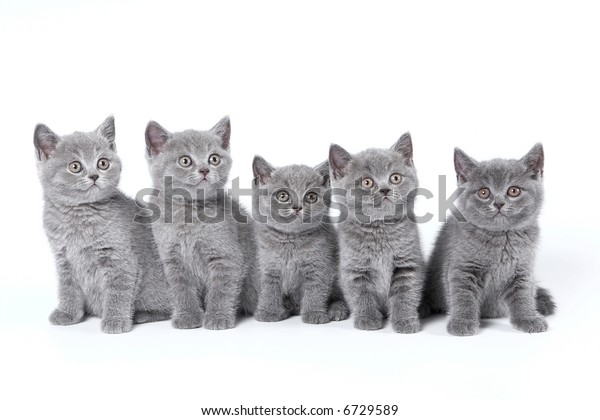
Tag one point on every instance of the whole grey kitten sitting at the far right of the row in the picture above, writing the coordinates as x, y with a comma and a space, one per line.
483, 268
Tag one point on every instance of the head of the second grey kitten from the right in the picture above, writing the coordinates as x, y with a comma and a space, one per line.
377, 182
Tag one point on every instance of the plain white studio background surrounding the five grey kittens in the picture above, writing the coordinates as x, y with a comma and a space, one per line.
295, 77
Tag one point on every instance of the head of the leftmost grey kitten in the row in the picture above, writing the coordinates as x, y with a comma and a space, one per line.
80, 167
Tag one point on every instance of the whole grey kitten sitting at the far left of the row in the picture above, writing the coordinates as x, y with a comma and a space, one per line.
107, 265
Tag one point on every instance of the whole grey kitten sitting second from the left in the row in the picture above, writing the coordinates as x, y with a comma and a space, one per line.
207, 250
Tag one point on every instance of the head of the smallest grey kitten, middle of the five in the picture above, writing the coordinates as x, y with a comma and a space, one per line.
291, 197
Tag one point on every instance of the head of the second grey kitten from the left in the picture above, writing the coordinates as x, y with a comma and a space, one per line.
196, 161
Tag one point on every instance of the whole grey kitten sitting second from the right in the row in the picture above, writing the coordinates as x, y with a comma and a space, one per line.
381, 263
